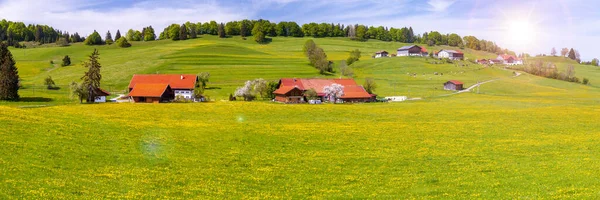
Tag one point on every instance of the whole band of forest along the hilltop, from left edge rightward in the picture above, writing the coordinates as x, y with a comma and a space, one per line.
15, 32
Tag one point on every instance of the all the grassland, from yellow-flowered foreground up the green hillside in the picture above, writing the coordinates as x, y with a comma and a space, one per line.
516, 137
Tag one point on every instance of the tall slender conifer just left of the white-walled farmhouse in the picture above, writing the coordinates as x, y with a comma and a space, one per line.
91, 79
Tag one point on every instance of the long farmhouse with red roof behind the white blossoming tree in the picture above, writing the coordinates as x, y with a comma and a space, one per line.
291, 90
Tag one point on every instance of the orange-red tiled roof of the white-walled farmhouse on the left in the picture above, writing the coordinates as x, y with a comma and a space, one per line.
175, 81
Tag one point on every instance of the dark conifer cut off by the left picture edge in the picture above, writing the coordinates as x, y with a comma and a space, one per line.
9, 75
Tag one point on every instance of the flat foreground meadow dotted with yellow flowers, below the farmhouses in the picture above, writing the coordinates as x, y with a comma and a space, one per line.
459, 147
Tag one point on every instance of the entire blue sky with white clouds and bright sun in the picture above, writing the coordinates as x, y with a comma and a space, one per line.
532, 26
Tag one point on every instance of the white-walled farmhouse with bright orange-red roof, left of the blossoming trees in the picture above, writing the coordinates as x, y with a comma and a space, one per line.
155, 88
